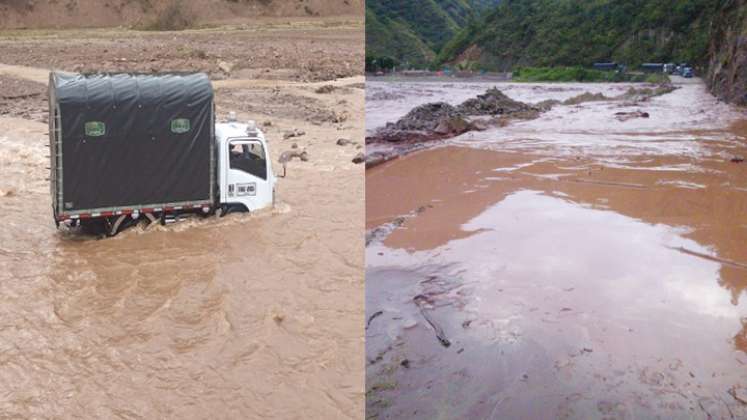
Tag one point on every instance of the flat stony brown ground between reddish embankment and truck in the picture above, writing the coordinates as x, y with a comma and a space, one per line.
313, 50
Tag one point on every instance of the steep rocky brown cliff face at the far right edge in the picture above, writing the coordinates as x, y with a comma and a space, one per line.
727, 70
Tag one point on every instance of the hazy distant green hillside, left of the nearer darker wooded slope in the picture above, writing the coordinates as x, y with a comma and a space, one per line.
411, 33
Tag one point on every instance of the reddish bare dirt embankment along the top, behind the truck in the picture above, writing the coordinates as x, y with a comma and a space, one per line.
110, 13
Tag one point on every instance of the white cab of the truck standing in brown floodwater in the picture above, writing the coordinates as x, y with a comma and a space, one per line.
246, 181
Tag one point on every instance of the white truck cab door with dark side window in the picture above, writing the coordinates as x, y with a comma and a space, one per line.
248, 177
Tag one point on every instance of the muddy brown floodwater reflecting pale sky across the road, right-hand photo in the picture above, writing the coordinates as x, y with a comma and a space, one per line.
579, 266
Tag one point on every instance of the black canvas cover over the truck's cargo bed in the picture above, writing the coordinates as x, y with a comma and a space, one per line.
132, 140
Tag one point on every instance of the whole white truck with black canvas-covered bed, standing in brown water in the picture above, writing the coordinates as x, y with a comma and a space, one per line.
130, 146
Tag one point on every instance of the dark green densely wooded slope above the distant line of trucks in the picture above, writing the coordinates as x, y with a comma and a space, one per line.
581, 32
